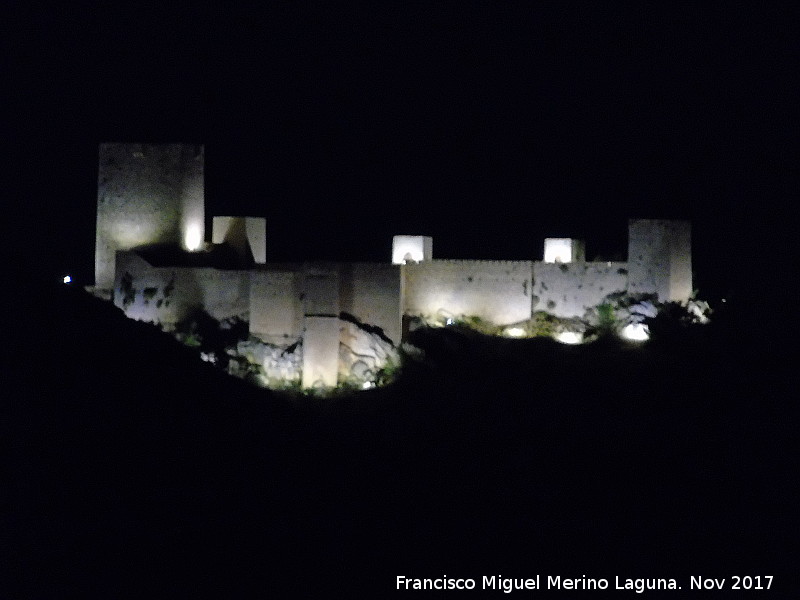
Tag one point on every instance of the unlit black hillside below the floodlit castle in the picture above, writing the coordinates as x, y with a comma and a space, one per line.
139, 470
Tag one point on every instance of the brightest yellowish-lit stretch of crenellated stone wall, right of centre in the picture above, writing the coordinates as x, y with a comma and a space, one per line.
496, 291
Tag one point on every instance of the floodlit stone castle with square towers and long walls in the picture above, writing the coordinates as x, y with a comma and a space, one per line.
151, 258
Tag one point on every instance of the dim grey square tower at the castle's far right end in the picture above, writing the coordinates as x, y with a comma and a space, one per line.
660, 259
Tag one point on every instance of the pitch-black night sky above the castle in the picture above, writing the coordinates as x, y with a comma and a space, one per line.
487, 128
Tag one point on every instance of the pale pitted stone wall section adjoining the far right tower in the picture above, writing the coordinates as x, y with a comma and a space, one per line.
569, 289
